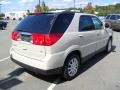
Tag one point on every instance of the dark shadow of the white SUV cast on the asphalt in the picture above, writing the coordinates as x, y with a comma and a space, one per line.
12, 80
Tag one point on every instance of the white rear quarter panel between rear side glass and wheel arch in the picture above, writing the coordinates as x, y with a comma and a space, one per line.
69, 41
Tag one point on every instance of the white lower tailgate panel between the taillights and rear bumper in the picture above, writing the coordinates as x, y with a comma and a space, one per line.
29, 49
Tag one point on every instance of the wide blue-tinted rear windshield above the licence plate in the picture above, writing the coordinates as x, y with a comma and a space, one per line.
36, 24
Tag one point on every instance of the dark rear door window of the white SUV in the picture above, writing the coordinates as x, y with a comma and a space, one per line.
85, 23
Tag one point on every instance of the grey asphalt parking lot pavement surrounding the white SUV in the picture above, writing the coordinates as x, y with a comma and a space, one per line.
102, 72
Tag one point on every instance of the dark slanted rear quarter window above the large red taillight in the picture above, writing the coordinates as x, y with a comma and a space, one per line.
62, 22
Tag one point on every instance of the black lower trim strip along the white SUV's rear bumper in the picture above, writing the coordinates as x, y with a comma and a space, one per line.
39, 71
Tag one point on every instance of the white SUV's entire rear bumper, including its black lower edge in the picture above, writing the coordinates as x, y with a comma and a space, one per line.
51, 64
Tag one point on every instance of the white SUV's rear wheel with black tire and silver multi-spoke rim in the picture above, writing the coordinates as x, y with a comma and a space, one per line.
71, 67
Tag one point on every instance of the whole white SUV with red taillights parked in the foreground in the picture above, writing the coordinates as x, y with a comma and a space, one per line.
50, 43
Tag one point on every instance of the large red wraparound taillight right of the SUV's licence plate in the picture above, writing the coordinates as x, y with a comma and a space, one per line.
46, 39
